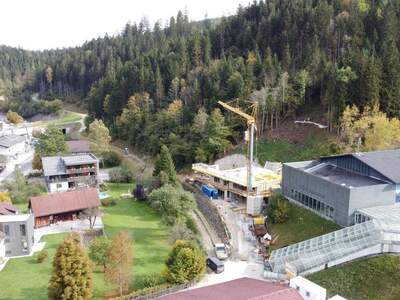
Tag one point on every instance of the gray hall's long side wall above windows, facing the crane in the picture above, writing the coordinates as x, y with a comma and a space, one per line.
318, 188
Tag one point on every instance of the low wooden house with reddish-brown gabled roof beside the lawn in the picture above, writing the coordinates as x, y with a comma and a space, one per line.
66, 206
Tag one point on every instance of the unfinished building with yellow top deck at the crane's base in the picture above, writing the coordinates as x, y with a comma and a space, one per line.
231, 183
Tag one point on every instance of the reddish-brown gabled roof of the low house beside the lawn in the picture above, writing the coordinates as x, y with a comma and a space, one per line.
57, 203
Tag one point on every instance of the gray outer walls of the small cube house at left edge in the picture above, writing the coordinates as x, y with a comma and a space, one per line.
15, 243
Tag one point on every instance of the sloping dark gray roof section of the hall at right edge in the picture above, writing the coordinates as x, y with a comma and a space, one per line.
385, 162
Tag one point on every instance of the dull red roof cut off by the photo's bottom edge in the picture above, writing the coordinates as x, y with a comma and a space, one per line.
239, 289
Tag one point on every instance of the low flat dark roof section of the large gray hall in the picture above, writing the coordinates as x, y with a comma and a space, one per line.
341, 176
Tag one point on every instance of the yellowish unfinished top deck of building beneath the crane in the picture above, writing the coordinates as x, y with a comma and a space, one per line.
260, 175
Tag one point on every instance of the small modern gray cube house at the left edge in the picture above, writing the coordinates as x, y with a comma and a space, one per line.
18, 234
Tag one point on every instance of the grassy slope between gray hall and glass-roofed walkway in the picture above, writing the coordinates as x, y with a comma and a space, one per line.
301, 225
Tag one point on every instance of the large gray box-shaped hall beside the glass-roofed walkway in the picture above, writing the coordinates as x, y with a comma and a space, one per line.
335, 187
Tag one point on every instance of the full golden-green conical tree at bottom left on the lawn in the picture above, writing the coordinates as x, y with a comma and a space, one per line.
71, 277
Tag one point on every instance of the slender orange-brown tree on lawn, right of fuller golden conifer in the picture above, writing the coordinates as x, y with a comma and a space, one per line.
119, 260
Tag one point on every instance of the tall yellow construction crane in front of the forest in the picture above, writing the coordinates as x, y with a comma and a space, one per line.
251, 124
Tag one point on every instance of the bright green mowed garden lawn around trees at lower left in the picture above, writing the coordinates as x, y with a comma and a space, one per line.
24, 278
